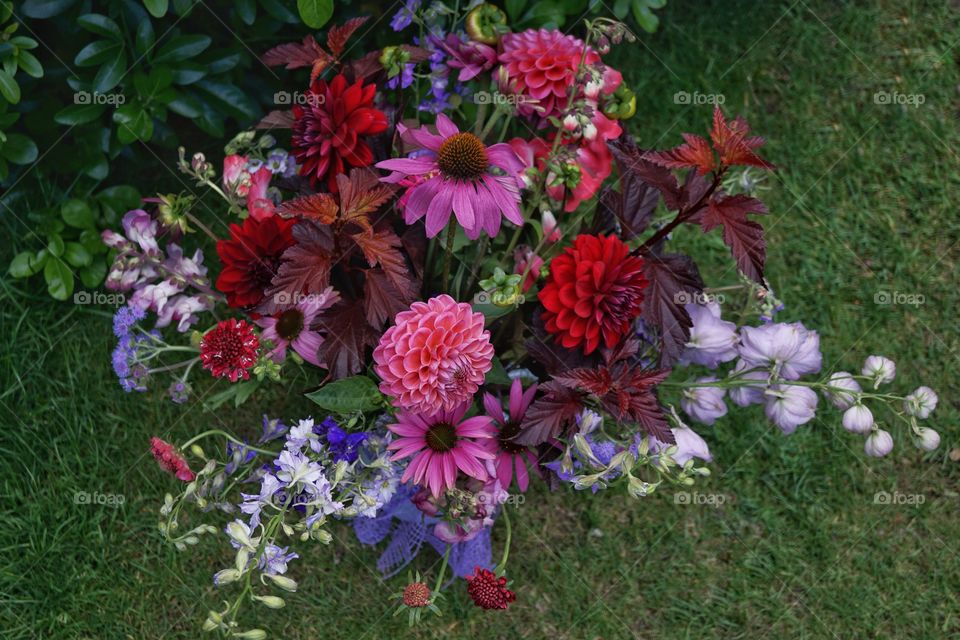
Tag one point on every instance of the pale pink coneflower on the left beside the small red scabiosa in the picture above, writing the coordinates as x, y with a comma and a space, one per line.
291, 328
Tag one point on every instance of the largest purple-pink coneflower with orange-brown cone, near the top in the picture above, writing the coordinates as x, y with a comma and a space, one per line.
478, 183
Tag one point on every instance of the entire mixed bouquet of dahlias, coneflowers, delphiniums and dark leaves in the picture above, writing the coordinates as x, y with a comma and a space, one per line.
461, 258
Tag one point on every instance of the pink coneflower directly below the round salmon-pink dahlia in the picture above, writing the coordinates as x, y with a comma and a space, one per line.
441, 444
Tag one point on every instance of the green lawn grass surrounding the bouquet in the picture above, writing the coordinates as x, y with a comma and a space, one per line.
863, 202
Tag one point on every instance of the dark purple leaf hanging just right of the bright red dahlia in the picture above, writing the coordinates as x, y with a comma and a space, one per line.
674, 281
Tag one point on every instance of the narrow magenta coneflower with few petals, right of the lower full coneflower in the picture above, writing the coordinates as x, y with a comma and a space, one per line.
509, 453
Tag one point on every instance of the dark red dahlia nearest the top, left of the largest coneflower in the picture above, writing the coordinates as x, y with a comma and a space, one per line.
328, 129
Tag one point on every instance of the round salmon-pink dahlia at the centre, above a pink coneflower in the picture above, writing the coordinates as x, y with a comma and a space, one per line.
435, 356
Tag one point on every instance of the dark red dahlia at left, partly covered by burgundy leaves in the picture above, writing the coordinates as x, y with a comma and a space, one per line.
250, 258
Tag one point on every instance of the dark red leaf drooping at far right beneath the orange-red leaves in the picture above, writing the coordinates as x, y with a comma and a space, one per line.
743, 236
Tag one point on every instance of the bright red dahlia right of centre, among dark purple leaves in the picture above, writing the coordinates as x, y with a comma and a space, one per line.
594, 292
